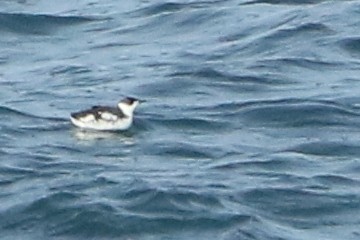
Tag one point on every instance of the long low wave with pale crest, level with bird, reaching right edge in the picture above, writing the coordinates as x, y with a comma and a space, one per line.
285, 112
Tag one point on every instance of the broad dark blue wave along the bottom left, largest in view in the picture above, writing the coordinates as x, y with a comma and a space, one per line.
139, 211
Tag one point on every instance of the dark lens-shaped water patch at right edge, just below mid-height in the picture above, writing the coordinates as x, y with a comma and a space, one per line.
324, 148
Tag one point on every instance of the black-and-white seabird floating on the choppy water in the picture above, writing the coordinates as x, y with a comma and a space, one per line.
107, 118
